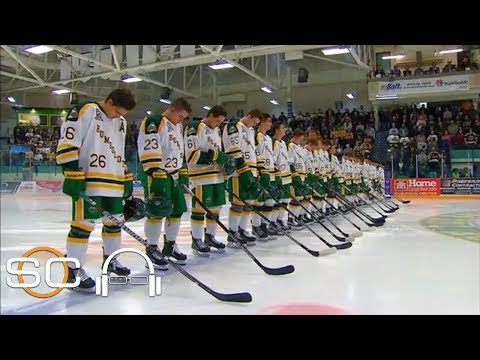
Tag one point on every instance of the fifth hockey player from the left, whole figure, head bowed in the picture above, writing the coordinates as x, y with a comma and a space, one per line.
266, 169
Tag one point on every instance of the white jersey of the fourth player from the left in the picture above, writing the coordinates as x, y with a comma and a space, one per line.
239, 142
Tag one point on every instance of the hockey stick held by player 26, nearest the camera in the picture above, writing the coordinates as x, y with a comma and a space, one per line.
235, 297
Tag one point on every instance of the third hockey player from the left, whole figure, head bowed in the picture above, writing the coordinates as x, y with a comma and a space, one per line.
207, 165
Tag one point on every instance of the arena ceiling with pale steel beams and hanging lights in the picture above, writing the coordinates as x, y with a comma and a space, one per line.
181, 70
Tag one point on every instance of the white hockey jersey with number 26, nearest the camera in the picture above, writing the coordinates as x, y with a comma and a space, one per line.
98, 144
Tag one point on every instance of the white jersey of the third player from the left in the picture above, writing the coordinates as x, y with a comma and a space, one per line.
199, 139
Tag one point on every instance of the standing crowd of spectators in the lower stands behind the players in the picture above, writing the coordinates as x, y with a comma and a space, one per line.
412, 131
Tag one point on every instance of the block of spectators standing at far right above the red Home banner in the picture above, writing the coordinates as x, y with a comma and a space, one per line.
426, 134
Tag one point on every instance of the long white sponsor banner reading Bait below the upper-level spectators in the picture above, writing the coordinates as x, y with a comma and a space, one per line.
423, 85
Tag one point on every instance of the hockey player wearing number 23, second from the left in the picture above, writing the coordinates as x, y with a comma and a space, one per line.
161, 152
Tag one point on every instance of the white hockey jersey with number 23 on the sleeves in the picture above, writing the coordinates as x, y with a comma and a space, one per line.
160, 145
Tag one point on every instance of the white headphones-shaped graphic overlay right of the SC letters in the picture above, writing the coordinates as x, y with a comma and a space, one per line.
154, 282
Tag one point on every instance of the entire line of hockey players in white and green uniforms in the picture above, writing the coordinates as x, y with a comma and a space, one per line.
241, 162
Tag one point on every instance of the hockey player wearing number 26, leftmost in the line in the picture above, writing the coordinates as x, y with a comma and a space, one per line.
91, 151
